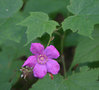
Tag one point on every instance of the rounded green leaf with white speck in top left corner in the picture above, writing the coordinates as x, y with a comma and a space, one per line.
9, 7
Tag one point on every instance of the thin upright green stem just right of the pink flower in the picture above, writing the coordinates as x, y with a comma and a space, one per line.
62, 55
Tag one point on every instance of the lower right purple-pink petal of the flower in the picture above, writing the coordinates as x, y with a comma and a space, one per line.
53, 66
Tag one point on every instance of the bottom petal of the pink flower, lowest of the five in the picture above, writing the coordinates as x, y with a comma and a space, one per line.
40, 70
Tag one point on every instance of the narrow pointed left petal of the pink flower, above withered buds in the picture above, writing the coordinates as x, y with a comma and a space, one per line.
31, 61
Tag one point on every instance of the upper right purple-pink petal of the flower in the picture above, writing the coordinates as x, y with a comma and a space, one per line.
51, 52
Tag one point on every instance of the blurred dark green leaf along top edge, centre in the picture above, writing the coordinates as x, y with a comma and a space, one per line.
47, 6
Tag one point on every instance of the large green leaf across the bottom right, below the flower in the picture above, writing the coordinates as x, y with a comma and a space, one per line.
74, 82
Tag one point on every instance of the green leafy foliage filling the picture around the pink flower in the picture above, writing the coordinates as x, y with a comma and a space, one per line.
72, 26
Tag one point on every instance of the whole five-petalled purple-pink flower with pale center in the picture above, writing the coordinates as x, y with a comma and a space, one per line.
42, 60
